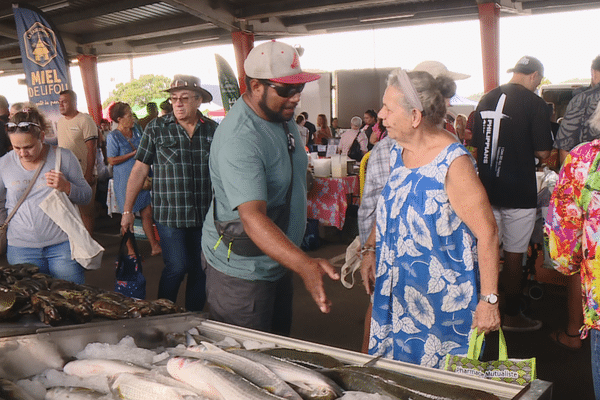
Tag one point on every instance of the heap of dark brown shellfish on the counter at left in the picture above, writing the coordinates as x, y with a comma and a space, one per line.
24, 290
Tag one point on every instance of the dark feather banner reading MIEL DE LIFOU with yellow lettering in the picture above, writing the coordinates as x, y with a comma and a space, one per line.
44, 60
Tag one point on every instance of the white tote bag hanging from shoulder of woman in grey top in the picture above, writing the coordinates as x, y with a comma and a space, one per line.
84, 249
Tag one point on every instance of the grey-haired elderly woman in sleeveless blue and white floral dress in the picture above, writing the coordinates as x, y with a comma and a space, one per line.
435, 274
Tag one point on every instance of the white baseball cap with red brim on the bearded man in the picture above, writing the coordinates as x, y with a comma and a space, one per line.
277, 62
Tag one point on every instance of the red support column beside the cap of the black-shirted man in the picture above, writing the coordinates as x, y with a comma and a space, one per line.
489, 18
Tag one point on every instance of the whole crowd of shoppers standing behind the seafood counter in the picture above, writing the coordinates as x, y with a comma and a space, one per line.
436, 222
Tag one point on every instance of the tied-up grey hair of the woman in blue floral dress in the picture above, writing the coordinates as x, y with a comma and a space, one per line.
430, 92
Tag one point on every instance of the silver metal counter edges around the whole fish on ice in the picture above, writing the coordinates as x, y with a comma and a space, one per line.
24, 356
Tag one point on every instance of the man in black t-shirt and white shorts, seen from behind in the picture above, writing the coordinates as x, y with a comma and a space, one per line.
512, 127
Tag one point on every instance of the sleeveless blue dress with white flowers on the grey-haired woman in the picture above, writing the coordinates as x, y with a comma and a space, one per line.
427, 276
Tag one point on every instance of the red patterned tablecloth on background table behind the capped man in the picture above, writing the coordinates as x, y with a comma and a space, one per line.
329, 198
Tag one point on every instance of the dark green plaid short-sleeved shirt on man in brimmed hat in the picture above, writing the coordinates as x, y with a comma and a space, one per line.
181, 189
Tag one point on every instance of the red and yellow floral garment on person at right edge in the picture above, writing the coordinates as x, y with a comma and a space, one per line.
572, 227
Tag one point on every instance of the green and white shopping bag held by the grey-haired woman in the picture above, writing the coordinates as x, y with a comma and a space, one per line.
504, 369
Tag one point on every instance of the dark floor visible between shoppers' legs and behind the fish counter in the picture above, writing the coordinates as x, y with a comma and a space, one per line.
570, 372
